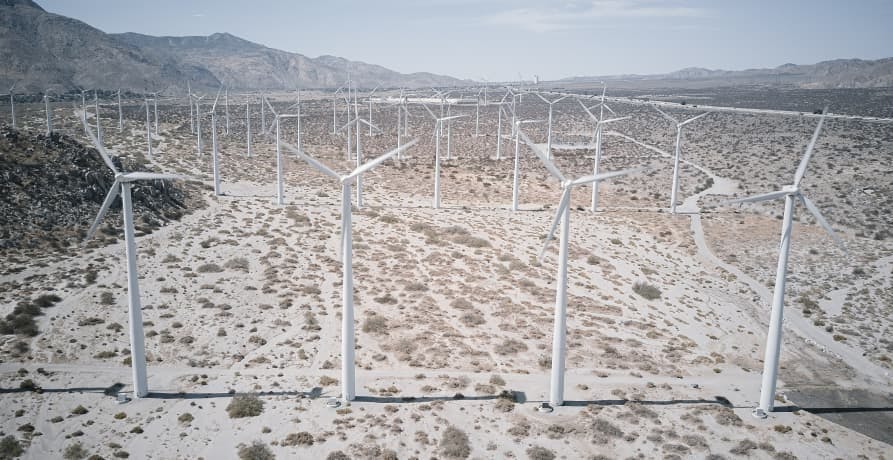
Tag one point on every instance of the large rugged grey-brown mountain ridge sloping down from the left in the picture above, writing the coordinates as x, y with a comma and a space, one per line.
46, 51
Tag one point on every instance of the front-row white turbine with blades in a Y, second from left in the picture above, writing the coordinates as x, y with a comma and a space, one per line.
348, 338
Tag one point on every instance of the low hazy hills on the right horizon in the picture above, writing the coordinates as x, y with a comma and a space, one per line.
839, 73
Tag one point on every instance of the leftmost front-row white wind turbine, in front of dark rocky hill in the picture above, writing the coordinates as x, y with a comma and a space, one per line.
122, 185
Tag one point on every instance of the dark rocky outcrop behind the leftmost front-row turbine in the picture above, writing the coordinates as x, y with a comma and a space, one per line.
51, 188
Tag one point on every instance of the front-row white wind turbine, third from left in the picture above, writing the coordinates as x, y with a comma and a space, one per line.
562, 216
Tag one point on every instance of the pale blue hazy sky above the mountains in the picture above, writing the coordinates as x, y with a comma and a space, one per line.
499, 39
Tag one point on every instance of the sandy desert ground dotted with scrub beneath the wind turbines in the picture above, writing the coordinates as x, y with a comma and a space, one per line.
241, 297
